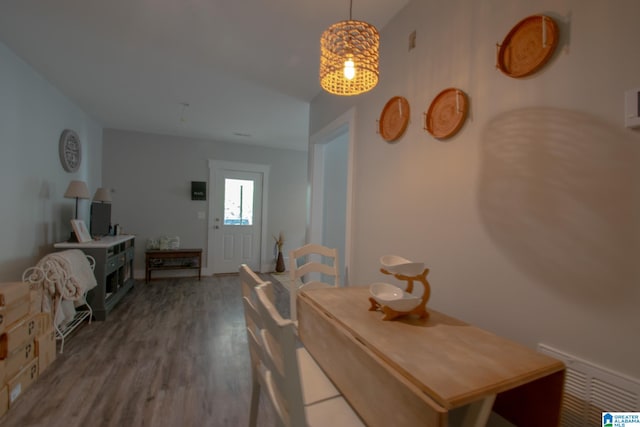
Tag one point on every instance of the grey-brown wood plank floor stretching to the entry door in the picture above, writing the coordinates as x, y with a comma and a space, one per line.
172, 353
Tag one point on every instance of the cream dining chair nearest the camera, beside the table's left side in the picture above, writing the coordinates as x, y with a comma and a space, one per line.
284, 376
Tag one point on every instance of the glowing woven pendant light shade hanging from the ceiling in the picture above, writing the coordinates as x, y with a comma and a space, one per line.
355, 40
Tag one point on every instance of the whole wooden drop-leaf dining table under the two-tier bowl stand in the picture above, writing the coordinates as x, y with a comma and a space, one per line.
433, 370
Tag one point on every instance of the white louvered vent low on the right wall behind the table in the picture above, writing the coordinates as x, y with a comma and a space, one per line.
590, 389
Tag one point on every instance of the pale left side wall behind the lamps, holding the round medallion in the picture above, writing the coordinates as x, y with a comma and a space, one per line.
33, 213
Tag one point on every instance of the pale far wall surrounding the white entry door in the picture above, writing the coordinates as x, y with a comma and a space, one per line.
151, 177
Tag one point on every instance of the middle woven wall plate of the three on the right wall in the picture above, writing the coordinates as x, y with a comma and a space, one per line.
447, 113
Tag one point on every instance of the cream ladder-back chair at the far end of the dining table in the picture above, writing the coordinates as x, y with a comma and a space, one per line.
311, 266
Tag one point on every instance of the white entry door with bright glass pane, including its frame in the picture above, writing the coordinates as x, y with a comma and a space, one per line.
235, 217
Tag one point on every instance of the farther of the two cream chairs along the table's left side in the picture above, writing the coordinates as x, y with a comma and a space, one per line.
306, 378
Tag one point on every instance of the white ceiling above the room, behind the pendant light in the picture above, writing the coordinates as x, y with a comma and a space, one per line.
247, 68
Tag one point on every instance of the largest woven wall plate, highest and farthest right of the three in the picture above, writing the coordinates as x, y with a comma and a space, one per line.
528, 46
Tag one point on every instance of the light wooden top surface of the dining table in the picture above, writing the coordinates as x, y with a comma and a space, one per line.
453, 362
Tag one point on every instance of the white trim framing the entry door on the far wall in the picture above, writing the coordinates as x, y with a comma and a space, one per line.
242, 167
